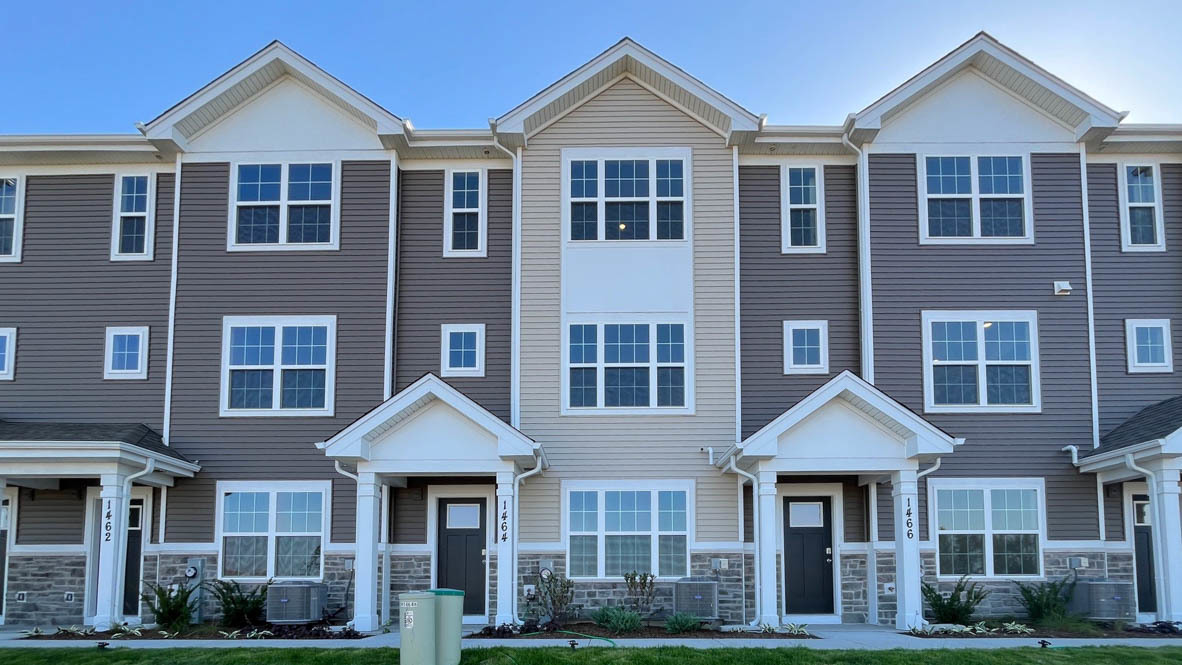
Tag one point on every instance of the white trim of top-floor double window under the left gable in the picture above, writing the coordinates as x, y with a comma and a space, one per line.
334, 244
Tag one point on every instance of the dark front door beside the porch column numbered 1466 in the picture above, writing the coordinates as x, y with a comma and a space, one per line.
809, 555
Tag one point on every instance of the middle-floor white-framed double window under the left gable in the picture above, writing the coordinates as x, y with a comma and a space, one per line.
278, 366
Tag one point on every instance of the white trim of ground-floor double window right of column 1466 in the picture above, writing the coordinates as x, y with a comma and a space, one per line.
986, 485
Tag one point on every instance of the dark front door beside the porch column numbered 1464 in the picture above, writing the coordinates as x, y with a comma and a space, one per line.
463, 539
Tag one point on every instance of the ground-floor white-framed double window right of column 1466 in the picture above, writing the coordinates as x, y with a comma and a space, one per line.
989, 527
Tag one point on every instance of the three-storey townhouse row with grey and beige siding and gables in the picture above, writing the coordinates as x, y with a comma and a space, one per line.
282, 334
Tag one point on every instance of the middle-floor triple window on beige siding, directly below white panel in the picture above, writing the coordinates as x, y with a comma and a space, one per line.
615, 367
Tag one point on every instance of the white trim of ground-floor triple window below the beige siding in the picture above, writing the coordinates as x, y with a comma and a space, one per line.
654, 487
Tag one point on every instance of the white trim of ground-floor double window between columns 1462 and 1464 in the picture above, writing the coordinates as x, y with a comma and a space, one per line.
272, 488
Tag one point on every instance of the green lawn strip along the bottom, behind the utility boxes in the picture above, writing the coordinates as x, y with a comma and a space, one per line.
557, 656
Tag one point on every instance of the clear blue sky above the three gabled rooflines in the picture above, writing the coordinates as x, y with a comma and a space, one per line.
102, 67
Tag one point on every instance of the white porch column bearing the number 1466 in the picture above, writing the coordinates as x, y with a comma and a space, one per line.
910, 602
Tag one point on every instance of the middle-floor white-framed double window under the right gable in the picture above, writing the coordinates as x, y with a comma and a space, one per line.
980, 361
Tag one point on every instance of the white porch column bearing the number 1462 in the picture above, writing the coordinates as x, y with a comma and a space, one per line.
113, 534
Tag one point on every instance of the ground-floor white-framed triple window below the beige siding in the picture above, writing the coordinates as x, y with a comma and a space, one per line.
618, 529
